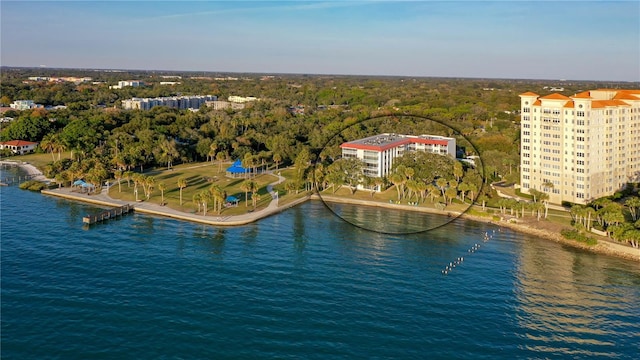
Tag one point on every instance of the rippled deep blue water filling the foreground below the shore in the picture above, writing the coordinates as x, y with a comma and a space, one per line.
301, 285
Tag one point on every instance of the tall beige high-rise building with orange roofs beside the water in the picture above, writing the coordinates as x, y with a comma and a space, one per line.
586, 145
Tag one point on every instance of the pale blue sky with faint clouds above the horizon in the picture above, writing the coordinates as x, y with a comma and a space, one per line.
575, 40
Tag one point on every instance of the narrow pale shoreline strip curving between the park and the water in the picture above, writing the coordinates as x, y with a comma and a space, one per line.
103, 199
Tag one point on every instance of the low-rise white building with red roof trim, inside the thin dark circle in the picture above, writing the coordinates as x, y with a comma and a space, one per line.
378, 151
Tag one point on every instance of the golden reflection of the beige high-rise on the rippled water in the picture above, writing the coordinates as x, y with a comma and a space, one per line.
565, 295
